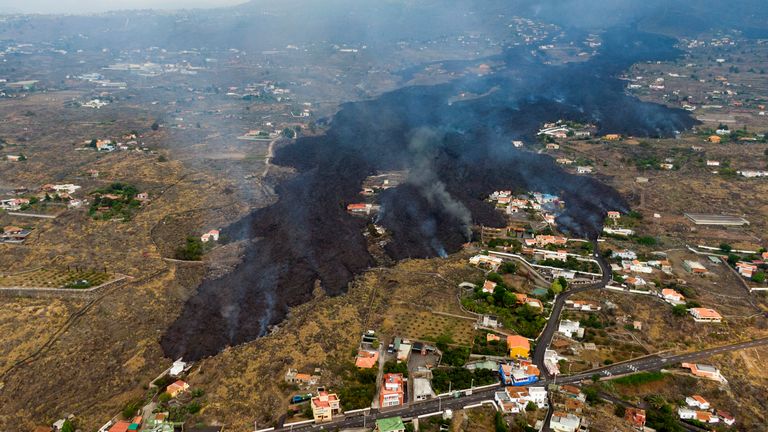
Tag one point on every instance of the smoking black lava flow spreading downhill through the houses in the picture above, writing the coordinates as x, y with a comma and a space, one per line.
456, 154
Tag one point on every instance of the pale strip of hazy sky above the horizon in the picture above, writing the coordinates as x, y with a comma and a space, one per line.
88, 6
